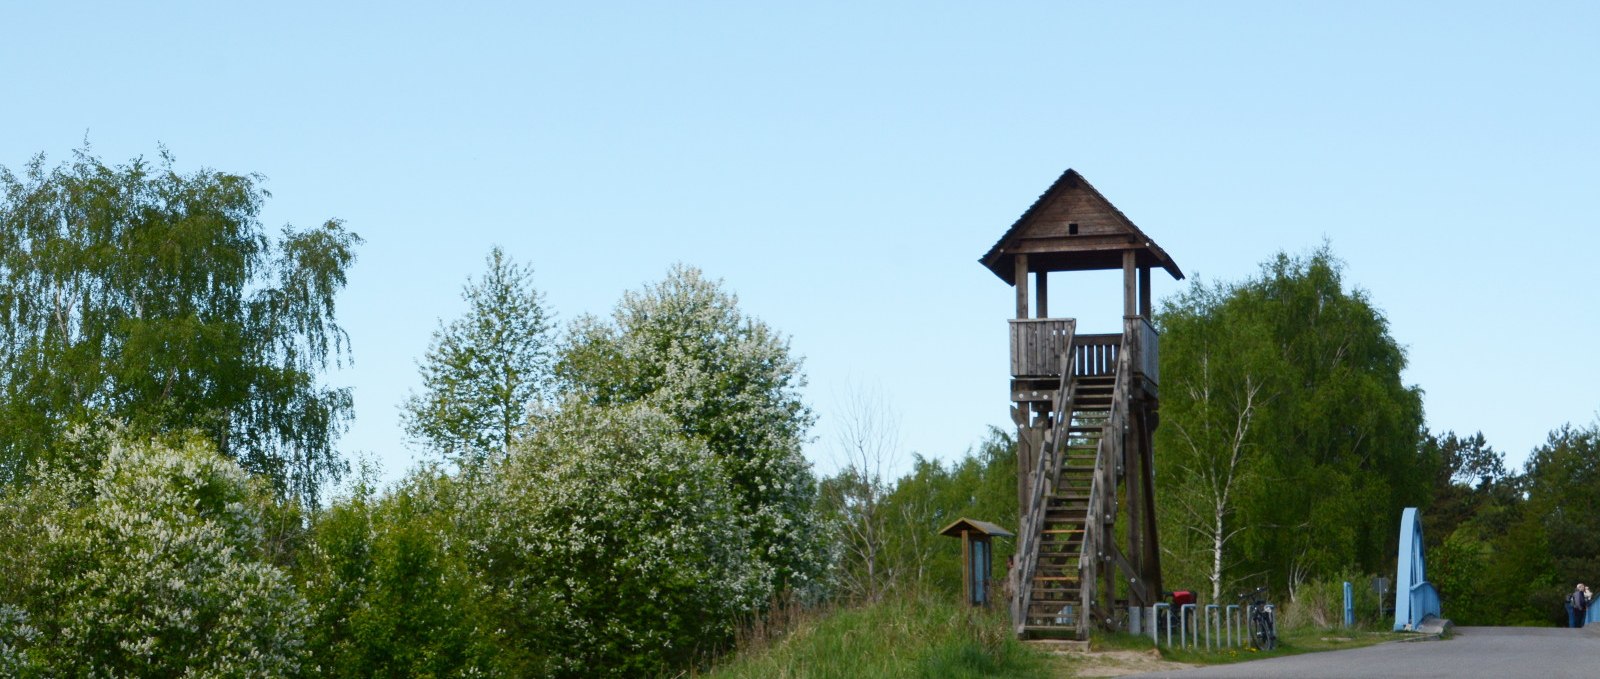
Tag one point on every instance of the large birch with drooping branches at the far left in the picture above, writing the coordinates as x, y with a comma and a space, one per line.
158, 299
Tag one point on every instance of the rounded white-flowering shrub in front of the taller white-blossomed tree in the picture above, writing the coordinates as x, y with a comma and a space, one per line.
612, 547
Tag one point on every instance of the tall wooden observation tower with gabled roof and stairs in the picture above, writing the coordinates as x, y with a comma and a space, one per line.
1086, 408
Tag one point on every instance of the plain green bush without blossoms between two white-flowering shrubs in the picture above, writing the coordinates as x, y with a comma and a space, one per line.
393, 585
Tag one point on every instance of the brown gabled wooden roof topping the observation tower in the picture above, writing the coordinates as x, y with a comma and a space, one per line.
1074, 228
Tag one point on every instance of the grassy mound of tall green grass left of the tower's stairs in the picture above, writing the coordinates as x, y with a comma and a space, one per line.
906, 635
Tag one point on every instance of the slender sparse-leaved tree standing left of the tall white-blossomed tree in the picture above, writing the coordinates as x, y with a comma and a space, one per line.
486, 371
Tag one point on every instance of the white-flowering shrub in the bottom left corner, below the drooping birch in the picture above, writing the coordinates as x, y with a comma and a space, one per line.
151, 568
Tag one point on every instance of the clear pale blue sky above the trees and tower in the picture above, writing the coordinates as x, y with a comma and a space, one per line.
842, 167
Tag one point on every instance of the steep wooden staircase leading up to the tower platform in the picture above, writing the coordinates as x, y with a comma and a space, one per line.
1057, 590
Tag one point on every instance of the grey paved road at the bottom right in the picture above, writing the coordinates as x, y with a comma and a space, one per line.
1473, 653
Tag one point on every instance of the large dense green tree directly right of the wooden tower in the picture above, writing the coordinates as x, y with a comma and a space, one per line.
1286, 390
